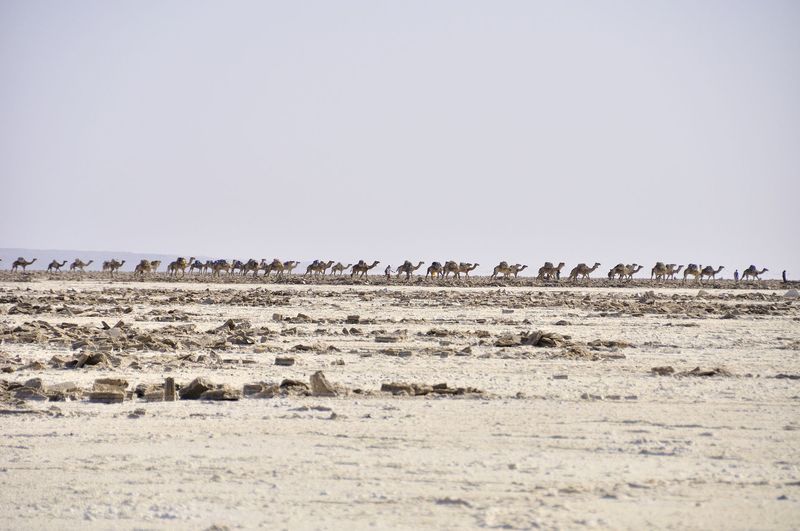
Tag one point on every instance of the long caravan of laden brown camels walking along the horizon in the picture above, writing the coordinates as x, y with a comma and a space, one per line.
549, 271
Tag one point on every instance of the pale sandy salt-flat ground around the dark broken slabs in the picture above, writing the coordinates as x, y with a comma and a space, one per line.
558, 438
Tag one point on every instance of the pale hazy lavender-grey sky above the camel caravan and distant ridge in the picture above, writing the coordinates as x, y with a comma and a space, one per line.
477, 131
